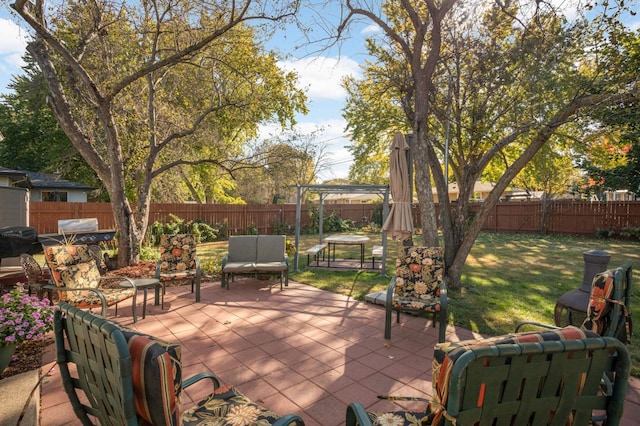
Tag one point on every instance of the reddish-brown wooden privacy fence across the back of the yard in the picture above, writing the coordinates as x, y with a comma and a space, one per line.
565, 217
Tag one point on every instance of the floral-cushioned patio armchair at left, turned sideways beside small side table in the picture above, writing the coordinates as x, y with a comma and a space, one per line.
79, 283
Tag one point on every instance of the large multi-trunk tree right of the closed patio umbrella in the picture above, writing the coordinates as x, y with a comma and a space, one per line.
506, 77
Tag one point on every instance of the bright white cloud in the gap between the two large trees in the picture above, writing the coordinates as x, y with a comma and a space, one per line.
321, 76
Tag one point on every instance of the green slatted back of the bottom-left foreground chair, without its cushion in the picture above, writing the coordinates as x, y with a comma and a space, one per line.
99, 383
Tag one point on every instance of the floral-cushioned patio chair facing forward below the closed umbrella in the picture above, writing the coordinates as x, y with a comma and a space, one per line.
418, 287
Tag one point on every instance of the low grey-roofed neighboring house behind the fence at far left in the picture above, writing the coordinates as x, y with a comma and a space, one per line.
44, 187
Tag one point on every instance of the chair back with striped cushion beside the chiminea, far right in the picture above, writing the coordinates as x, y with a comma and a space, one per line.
608, 311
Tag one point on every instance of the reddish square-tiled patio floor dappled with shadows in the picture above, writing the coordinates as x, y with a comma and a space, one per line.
301, 350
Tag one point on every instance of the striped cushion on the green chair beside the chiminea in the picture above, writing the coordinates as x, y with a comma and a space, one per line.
600, 302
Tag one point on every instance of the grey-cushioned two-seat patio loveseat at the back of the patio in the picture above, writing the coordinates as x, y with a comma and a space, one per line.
256, 254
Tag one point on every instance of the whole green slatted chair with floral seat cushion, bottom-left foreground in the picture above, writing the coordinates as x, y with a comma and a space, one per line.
117, 376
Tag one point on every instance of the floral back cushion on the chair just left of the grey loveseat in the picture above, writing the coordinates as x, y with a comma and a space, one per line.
177, 256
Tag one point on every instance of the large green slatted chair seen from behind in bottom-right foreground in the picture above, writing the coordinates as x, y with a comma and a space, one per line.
535, 378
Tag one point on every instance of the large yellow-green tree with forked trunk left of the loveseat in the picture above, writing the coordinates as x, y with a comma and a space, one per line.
143, 88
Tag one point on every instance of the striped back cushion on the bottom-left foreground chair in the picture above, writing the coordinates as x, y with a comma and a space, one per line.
156, 371
